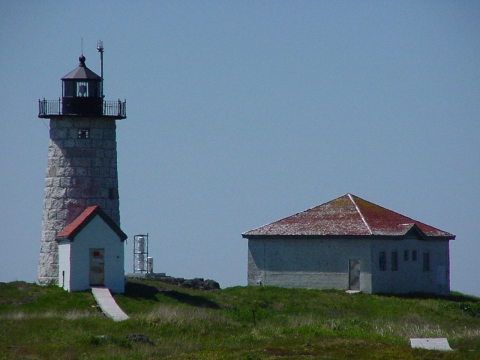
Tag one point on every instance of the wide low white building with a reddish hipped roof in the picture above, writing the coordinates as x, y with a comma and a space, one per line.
352, 244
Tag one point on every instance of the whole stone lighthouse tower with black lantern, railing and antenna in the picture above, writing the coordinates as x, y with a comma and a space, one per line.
82, 158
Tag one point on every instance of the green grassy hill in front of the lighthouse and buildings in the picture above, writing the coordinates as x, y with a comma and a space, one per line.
233, 323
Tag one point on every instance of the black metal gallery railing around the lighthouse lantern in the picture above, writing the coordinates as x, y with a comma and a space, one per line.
49, 108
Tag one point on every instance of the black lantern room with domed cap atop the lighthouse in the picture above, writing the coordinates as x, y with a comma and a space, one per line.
82, 91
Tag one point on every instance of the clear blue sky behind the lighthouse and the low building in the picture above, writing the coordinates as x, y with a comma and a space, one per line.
242, 113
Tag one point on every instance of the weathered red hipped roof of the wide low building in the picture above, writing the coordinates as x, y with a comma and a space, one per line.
347, 215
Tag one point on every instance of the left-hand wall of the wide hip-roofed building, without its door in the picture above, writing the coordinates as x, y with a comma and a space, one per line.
307, 263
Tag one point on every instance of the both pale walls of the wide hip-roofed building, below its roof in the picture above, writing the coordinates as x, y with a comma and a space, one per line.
323, 264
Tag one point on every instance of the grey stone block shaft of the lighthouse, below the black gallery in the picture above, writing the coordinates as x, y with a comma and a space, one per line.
81, 172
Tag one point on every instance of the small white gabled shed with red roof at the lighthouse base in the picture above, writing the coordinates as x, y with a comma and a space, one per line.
91, 252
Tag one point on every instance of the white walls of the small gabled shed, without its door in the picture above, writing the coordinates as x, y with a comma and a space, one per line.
97, 234
